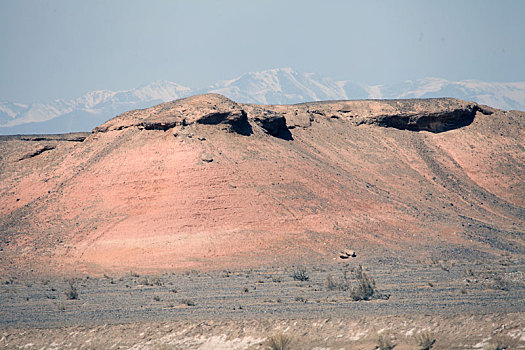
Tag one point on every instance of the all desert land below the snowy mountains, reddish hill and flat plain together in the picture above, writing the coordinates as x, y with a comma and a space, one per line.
203, 223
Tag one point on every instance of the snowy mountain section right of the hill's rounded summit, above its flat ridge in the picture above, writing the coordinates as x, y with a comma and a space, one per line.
286, 86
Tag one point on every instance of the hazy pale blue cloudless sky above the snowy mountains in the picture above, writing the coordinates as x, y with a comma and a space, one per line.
62, 49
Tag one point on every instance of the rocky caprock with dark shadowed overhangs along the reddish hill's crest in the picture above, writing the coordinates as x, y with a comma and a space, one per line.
433, 115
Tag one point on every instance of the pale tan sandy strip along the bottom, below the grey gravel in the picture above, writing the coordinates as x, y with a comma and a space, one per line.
350, 332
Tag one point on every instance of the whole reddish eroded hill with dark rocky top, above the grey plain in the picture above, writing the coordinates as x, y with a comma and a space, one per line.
205, 182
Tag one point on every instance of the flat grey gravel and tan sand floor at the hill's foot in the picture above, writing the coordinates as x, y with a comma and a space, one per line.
475, 305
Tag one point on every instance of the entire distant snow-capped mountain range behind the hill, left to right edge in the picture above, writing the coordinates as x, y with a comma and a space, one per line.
275, 86
